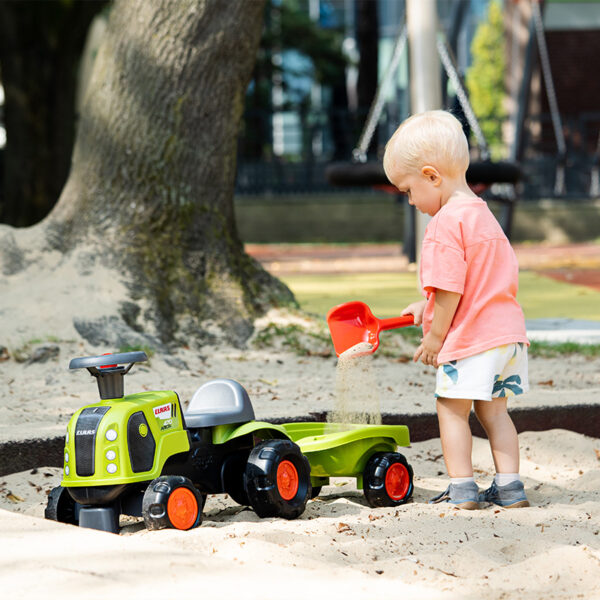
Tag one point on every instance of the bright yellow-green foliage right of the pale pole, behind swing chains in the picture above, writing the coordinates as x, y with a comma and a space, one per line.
485, 77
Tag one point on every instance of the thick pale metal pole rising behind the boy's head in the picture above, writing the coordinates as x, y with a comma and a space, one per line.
425, 86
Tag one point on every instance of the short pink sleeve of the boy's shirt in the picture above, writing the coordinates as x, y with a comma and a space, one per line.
443, 267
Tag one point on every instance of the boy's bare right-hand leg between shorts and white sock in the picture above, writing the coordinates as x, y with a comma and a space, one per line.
501, 432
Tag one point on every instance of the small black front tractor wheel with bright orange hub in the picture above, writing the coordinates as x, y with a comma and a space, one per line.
159, 513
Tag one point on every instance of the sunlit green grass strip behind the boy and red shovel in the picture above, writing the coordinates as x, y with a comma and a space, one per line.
388, 293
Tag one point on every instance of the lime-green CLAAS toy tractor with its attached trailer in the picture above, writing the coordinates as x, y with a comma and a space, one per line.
140, 455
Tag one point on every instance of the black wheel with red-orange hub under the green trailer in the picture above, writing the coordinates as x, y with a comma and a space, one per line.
387, 479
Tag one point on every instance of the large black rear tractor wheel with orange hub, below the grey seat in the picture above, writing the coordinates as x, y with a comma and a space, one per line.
272, 496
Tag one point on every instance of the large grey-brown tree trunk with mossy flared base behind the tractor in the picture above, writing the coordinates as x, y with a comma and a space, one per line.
151, 185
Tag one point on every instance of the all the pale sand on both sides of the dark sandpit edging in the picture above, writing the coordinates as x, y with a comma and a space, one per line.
340, 547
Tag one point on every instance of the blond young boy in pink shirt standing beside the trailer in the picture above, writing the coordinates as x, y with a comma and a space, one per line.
473, 328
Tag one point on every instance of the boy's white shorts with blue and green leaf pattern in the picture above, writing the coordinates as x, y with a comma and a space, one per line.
496, 373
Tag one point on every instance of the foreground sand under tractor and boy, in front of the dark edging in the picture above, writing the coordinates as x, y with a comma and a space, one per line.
339, 547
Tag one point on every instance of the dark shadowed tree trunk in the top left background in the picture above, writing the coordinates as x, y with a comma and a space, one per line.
40, 47
